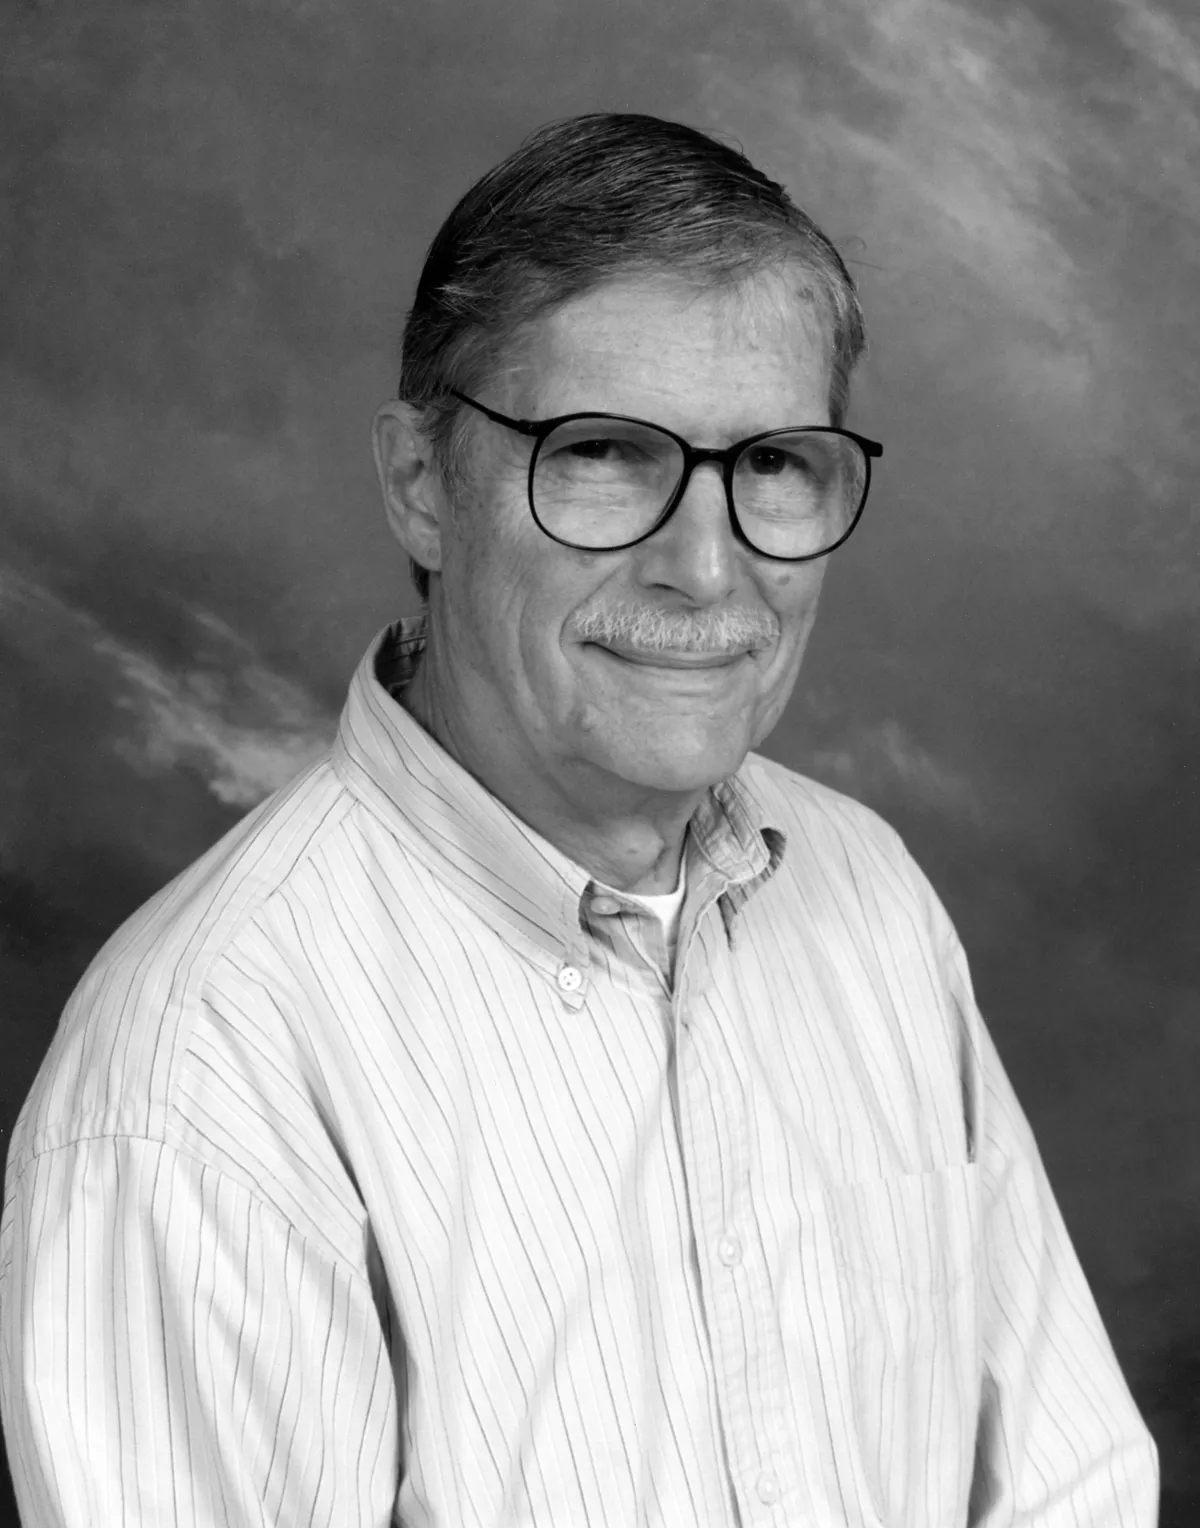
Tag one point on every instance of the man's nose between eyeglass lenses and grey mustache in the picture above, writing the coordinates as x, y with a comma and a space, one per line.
696, 551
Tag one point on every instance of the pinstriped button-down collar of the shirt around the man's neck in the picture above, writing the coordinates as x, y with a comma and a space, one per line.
519, 882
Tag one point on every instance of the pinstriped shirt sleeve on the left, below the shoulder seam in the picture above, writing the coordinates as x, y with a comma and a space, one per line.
175, 1353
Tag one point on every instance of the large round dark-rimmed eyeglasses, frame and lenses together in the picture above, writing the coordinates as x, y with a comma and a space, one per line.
606, 482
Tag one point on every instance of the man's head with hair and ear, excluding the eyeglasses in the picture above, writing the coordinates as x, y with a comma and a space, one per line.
629, 267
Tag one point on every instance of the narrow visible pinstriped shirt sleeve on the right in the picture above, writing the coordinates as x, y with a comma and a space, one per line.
1060, 1442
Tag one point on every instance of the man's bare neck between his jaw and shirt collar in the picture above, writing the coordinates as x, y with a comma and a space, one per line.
628, 838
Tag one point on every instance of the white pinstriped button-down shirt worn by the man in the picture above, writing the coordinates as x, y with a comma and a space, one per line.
378, 1174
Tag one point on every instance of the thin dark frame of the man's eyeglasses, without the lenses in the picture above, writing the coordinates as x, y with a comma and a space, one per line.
693, 456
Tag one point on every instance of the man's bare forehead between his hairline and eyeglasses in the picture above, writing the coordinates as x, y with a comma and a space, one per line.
730, 358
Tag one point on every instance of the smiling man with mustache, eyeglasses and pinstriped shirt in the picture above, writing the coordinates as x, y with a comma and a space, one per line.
546, 1112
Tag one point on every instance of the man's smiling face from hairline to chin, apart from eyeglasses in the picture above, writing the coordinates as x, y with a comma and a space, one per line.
715, 367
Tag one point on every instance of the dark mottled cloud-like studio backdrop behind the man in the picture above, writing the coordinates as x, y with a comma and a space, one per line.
212, 222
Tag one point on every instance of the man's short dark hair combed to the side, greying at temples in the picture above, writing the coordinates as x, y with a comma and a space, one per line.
582, 202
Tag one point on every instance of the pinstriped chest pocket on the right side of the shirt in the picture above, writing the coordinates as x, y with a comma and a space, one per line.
903, 1255
